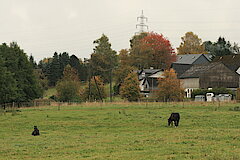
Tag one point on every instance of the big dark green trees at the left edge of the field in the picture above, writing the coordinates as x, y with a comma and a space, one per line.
17, 77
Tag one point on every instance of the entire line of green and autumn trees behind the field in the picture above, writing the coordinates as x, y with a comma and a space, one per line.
24, 80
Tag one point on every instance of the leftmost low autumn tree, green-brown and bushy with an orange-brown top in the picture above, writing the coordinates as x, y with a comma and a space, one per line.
68, 89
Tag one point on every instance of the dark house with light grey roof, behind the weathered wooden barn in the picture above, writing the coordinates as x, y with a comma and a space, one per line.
186, 61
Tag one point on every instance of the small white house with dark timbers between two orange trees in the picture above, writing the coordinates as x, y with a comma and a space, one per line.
148, 80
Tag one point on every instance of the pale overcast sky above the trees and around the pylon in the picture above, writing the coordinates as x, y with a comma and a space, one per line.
42, 27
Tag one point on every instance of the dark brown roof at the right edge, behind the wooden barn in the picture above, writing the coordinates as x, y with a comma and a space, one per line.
231, 61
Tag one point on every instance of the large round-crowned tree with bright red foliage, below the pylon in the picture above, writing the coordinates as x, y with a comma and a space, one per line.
153, 50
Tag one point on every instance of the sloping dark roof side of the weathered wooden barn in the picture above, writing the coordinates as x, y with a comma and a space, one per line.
197, 70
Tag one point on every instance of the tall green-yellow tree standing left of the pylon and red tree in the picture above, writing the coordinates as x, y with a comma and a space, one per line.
103, 59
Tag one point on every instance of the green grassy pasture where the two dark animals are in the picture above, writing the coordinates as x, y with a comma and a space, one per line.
124, 131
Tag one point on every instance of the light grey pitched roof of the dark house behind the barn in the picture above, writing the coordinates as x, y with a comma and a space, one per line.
190, 58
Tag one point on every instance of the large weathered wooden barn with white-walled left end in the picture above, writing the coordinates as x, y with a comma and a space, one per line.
212, 75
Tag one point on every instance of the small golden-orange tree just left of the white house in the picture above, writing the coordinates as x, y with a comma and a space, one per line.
130, 88
